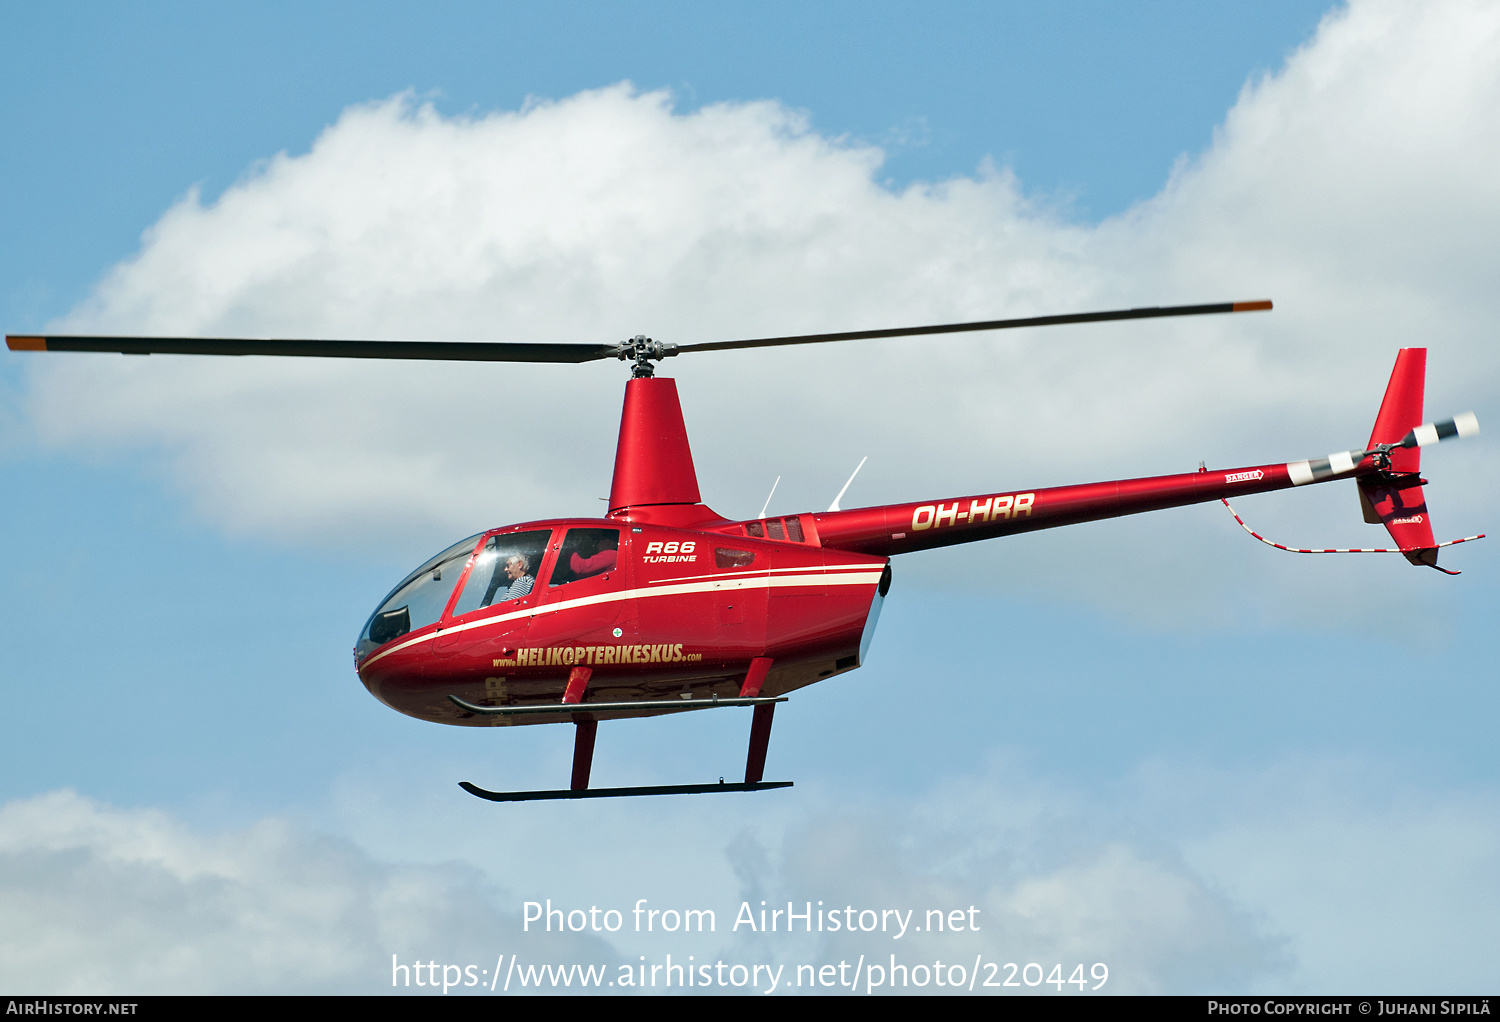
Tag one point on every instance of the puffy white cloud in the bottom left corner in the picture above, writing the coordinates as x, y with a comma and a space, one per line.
97, 900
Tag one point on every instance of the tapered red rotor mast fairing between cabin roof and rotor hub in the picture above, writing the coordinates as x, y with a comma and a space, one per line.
653, 463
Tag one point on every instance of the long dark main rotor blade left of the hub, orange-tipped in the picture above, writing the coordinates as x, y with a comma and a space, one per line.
425, 350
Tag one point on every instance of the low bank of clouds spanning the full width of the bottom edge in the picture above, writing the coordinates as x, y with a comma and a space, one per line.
1298, 876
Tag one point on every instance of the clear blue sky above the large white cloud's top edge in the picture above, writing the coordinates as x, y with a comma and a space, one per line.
131, 106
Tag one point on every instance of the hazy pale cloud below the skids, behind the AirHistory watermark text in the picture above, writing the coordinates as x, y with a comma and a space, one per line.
1049, 877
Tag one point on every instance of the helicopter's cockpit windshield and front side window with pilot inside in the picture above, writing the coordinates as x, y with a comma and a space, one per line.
505, 570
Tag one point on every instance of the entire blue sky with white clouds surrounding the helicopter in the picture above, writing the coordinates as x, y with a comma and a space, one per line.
1150, 744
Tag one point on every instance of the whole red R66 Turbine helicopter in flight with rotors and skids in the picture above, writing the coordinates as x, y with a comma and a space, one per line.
665, 606
